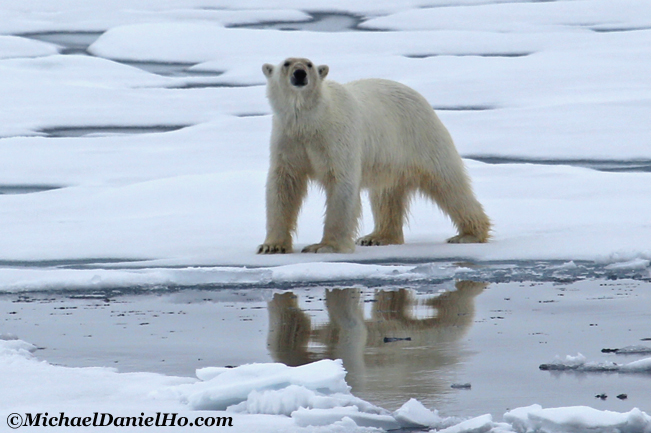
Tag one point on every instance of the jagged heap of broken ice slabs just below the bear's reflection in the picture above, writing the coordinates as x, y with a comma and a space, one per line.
315, 394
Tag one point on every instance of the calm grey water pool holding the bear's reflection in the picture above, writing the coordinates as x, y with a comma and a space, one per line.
396, 343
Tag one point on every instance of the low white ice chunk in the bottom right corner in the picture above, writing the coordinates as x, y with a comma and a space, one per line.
576, 419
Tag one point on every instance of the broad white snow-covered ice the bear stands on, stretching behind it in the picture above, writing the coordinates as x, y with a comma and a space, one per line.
551, 82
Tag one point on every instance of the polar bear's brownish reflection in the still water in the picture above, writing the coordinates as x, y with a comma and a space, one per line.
404, 345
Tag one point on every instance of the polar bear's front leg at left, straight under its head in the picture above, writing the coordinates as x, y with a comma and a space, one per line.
285, 192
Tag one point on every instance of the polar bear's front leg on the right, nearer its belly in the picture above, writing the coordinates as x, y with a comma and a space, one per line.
342, 212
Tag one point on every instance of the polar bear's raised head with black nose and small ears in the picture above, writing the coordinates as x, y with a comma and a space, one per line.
295, 83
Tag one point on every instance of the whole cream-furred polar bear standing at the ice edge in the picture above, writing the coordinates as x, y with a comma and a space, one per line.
374, 134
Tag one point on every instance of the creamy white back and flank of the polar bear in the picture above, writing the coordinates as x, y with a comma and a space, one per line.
400, 132
